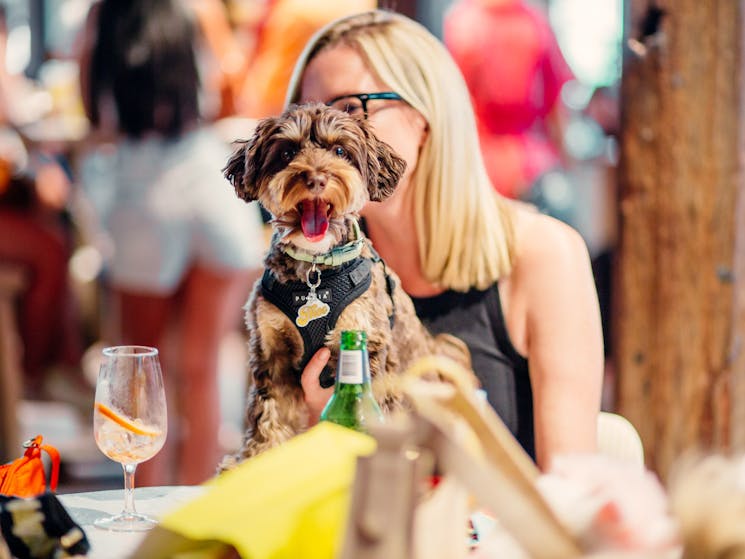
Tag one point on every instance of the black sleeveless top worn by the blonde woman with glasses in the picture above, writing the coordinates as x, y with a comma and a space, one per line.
476, 318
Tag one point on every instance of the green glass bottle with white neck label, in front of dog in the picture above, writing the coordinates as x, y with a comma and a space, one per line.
353, 404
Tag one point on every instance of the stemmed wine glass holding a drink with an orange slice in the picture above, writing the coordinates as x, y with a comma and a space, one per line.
129, 421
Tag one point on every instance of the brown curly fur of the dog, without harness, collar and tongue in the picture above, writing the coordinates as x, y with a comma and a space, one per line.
318, 153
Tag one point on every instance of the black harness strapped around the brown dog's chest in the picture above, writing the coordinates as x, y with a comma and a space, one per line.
336, 287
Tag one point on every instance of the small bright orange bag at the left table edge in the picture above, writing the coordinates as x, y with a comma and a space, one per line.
25, 476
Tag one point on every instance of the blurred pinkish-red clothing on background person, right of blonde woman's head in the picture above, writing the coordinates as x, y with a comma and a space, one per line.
514, 69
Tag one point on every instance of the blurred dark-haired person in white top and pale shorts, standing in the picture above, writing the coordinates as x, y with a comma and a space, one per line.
184, 249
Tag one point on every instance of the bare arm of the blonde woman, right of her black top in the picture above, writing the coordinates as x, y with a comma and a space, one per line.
555, 301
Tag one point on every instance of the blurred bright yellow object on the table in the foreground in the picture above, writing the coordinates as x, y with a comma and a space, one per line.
289, 502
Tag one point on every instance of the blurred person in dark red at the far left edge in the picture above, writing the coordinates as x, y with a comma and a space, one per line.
37, 238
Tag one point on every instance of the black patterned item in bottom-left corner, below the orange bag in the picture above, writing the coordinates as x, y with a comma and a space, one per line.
39, 528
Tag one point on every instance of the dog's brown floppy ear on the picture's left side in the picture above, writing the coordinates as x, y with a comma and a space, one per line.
244, 165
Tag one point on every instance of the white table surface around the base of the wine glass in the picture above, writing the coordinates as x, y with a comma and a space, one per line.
84, 508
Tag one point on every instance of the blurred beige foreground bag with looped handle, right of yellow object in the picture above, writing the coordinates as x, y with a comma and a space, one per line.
395, 515
